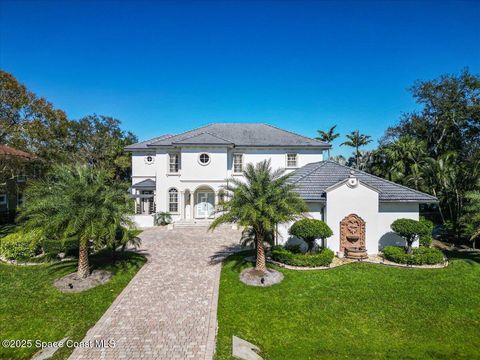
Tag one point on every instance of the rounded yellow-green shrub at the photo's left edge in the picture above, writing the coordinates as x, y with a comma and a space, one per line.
20, 245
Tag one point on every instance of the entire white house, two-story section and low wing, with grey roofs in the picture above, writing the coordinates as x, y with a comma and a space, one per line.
184, 175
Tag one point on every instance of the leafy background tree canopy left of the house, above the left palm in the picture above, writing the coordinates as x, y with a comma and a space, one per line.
30, 123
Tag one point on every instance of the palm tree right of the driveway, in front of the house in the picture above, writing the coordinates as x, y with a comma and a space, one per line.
263, 200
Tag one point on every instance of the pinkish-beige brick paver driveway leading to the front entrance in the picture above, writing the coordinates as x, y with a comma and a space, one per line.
168, 310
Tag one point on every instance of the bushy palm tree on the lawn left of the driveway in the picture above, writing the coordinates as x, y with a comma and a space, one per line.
77, 201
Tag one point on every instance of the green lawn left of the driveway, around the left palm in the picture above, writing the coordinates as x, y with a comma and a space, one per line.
31, 308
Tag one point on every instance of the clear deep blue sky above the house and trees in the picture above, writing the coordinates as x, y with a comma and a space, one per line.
166, 67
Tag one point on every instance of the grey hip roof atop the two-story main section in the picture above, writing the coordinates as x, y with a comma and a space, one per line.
250, 135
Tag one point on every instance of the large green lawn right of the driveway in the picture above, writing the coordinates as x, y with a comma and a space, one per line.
360, 310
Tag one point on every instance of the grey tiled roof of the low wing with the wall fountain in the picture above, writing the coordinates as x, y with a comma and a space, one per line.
313, 180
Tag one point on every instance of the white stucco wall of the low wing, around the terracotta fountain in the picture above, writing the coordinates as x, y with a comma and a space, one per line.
363, 201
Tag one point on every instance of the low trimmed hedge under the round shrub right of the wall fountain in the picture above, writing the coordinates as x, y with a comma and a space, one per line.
419, 256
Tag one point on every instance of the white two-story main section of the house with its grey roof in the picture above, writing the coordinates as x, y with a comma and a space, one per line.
183, 174
